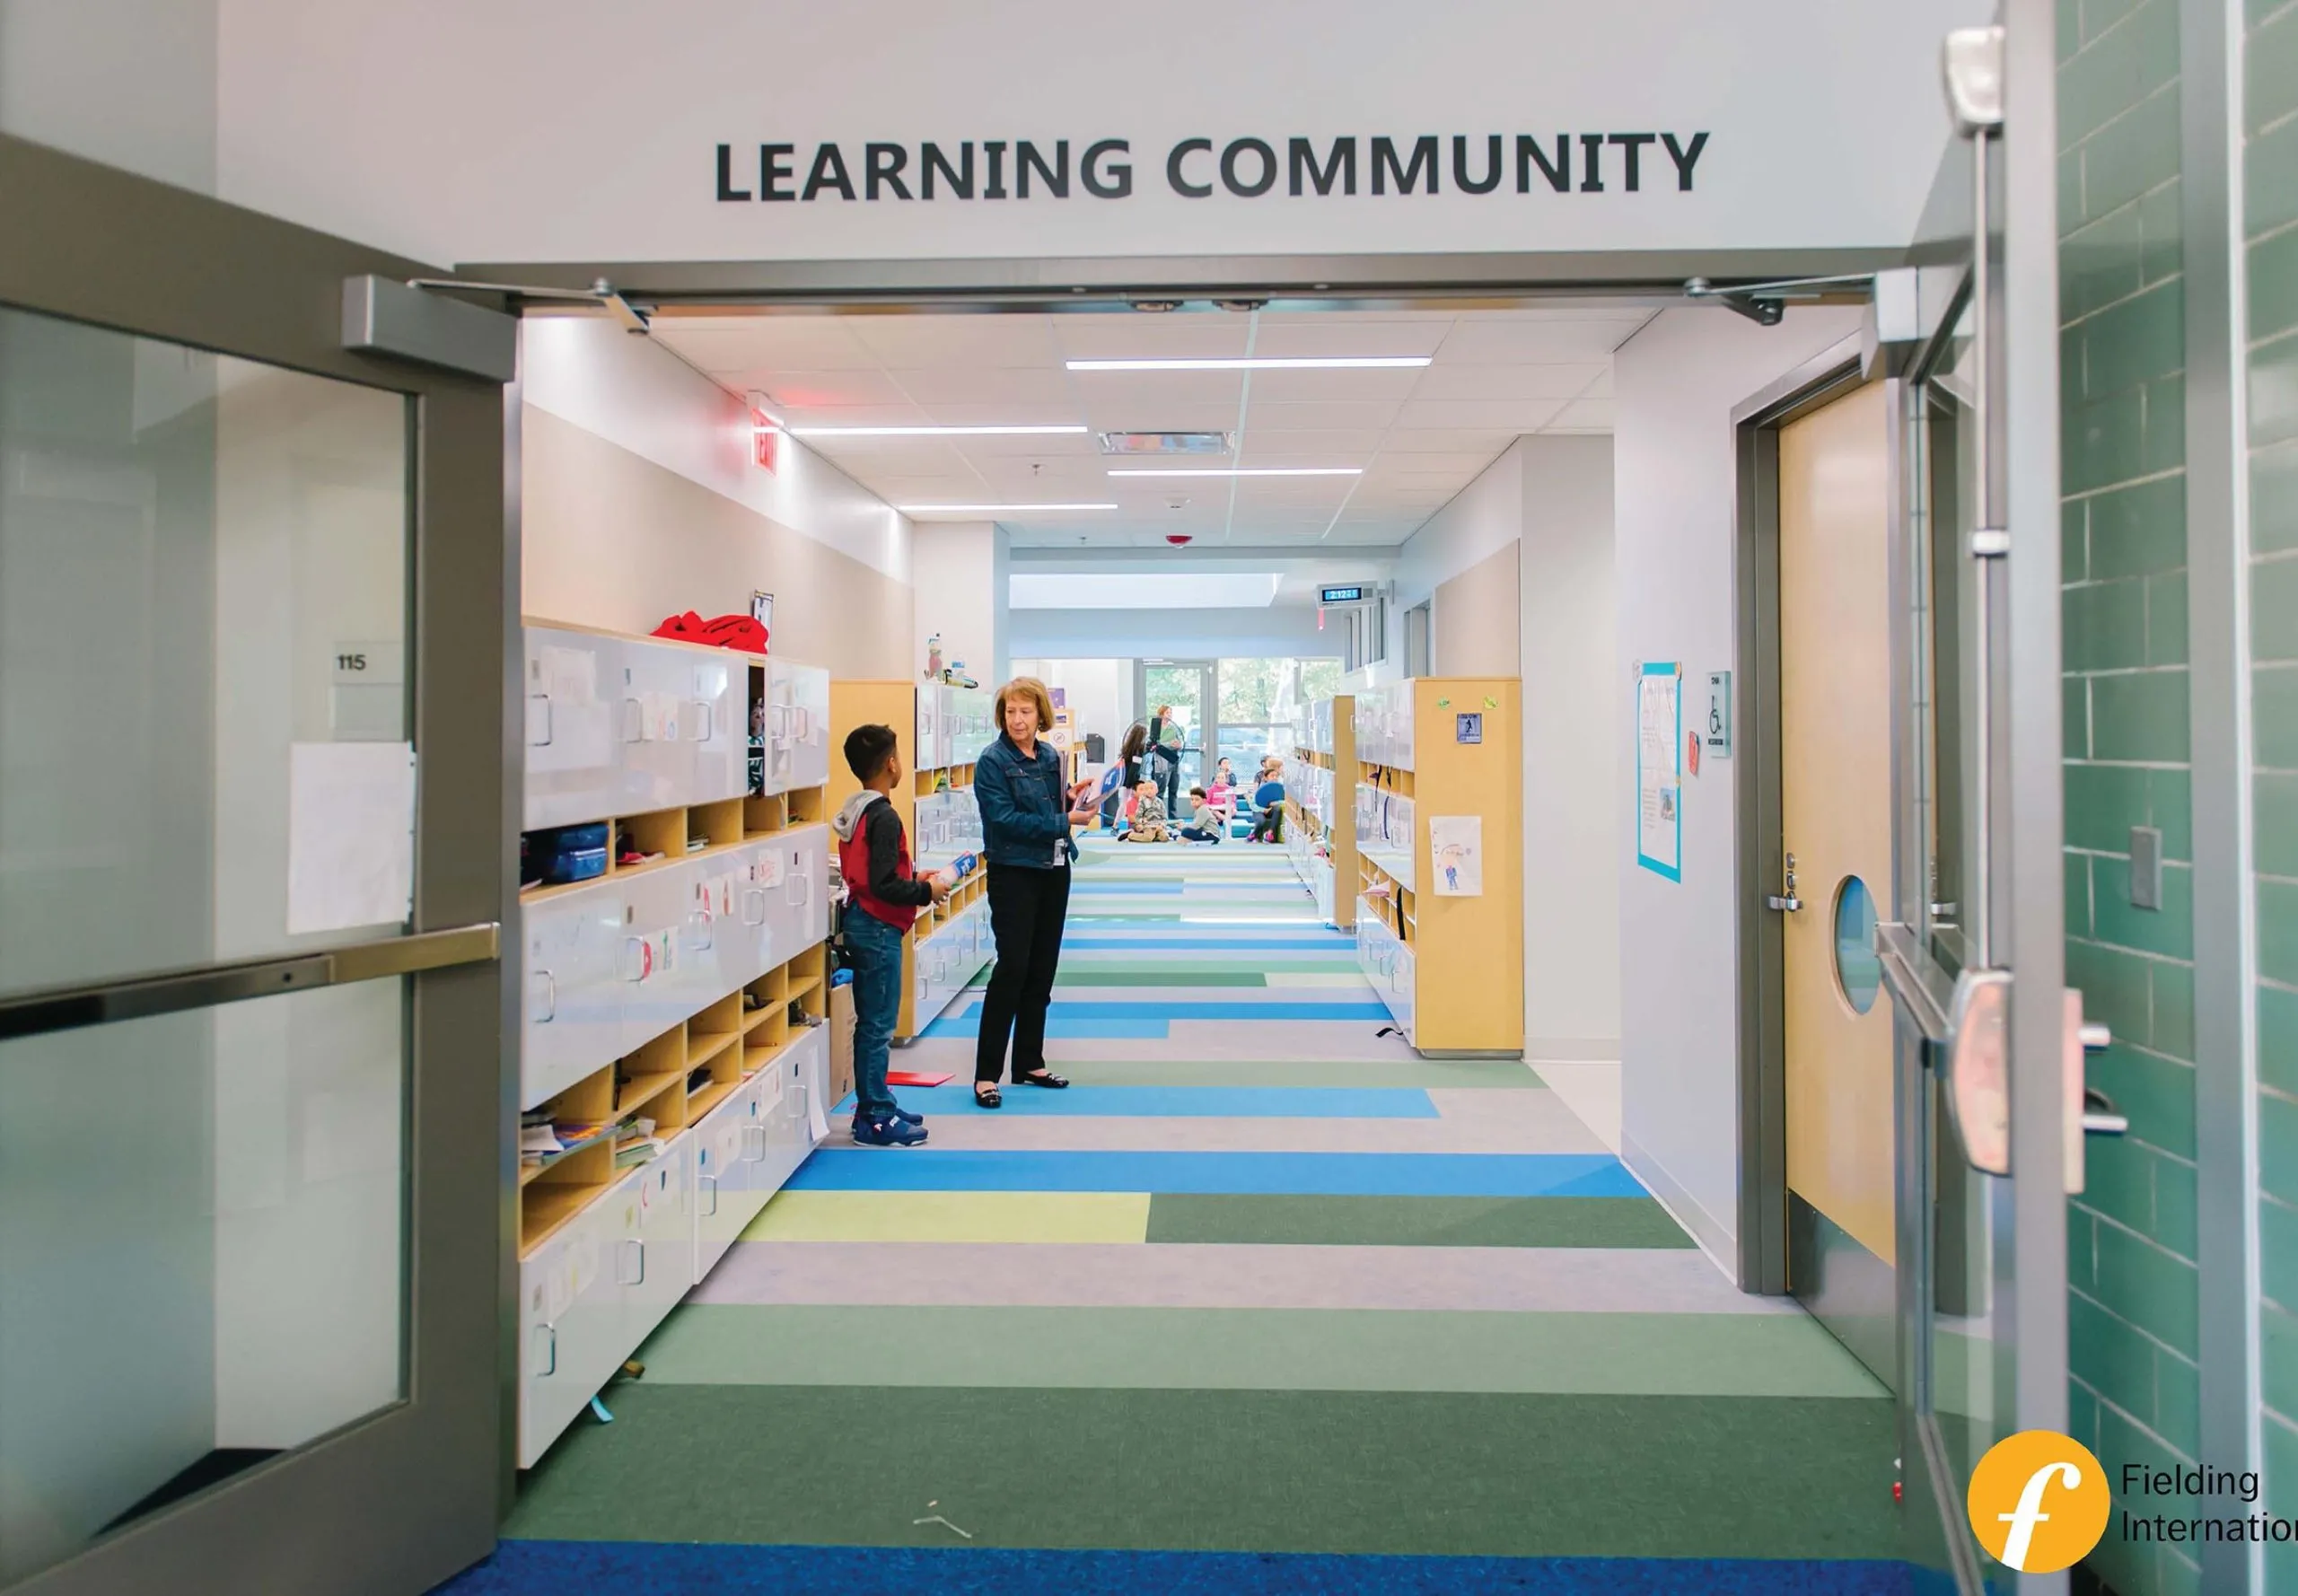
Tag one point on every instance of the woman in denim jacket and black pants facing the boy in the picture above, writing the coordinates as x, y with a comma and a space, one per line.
1026, 821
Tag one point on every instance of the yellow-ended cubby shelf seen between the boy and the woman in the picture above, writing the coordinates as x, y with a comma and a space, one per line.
943, 731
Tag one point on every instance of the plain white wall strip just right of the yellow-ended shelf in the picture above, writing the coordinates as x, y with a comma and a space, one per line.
1573, 780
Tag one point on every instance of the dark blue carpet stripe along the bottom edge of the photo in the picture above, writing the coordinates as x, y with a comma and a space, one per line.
580, 1567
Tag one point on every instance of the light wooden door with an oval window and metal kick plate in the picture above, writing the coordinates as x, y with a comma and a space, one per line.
1835, 697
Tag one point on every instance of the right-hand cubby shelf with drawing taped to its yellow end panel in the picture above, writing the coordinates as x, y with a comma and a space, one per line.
1451, 968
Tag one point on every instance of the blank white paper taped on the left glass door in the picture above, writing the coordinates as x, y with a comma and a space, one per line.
350, 835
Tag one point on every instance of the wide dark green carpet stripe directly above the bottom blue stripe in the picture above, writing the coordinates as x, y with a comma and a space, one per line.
1226, 1471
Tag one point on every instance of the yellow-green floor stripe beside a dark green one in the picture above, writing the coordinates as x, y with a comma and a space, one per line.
953, 1218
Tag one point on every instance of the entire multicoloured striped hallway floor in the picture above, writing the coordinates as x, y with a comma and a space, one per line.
1263, 1306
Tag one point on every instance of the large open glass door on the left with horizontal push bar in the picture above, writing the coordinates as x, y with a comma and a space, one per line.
252, 865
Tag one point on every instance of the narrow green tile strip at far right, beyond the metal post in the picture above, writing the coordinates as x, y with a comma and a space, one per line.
2269, 185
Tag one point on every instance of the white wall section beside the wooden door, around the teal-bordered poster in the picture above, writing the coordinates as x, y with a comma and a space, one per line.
1679, 382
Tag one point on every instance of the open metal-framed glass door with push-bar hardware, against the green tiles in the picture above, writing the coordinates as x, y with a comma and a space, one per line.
1989, 1044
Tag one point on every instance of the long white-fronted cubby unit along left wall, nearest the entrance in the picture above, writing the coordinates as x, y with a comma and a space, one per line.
672, 1035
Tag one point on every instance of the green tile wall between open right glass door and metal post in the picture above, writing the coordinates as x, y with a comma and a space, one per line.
2122, 403
